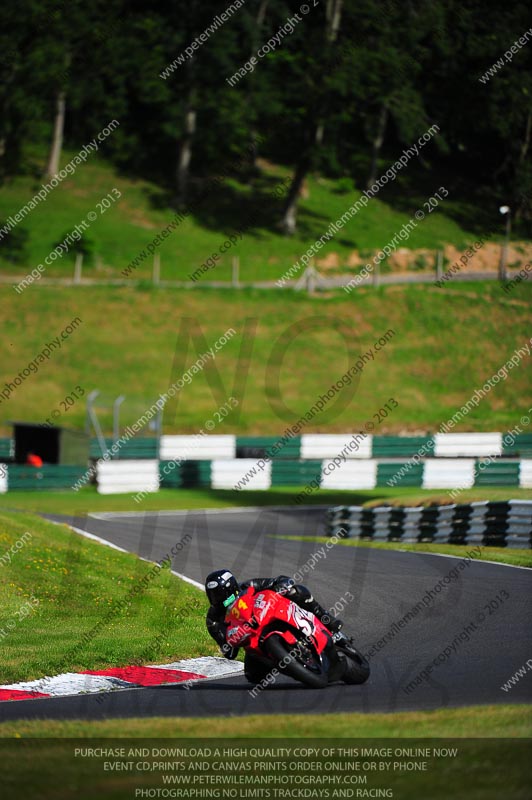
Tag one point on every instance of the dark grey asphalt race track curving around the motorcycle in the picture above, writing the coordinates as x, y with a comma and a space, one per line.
384, 586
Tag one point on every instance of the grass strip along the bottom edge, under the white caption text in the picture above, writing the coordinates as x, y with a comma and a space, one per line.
462, 768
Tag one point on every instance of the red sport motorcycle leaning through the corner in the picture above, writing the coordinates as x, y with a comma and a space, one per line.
284, 636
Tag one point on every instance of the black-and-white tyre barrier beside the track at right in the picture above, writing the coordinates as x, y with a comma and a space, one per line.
497, 524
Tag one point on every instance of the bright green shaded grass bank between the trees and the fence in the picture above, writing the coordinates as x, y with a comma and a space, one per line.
144, 209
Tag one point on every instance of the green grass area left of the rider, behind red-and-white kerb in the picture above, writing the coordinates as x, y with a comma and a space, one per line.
125, 608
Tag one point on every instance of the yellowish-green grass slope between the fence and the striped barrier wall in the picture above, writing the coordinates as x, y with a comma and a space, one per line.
446, 343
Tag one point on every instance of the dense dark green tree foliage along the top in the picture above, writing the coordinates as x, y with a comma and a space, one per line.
343, 93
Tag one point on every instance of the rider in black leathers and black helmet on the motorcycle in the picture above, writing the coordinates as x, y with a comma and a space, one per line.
223, 589
